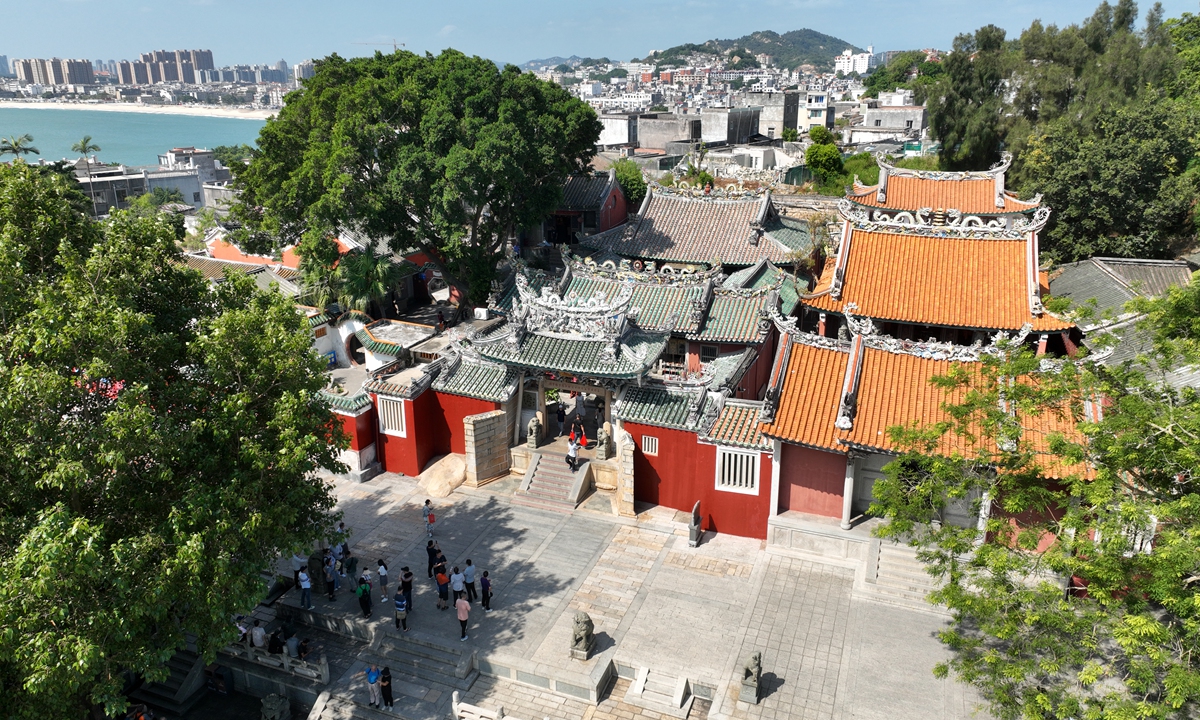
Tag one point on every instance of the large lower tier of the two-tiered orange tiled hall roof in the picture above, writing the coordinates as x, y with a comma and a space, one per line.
935, 281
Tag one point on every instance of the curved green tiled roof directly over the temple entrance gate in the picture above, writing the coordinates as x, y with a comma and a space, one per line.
637, 356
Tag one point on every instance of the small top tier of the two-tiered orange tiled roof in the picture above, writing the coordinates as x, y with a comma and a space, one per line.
973, 196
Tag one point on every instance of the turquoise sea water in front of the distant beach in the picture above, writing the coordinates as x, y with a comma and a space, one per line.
130, 139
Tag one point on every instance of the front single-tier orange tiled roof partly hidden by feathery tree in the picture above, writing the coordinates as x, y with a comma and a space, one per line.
893, 389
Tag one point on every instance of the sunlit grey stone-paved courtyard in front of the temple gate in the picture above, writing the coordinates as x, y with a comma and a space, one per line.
661, 609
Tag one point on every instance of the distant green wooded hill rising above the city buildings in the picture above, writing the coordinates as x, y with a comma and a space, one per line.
790, 50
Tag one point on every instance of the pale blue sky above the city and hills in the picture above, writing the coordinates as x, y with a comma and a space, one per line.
255, 32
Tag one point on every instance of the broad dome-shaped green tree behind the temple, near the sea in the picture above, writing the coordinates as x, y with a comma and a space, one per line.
447, 153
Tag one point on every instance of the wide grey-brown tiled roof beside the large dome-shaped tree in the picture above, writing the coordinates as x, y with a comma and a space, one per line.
687, 230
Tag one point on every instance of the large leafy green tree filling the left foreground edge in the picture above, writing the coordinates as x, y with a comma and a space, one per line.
158, 447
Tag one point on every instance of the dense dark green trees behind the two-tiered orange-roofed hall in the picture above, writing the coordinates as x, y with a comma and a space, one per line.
1097, 117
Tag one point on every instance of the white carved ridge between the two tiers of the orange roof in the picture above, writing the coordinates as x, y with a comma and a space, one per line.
969, 227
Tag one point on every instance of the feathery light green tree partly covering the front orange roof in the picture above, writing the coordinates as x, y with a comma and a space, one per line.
1081, 598
